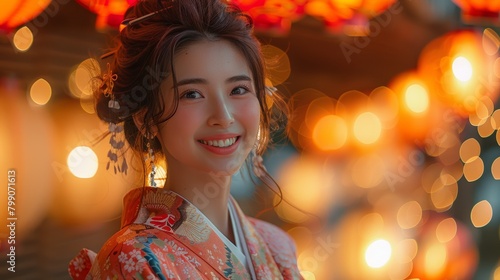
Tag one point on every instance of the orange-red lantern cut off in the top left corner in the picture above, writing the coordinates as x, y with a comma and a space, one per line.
13, 13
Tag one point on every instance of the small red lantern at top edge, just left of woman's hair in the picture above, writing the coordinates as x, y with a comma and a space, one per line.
109, 12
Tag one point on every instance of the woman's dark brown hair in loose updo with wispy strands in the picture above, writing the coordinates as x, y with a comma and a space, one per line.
144, 54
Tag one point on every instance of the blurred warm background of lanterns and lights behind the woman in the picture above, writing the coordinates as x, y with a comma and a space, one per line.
393, 154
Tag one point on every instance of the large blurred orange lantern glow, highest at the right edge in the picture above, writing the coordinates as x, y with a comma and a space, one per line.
456, 68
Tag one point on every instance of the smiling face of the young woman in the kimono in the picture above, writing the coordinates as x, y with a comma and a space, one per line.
217, 119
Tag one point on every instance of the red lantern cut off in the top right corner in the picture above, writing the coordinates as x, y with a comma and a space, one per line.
479, 10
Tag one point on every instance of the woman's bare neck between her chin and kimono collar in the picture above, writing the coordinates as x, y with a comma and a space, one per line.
208, 192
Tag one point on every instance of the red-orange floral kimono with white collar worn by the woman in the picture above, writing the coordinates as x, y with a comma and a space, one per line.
166, 237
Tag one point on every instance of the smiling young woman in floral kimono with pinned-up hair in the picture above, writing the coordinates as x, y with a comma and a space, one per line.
188, 84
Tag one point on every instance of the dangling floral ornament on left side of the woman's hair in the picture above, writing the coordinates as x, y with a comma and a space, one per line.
117, 142
